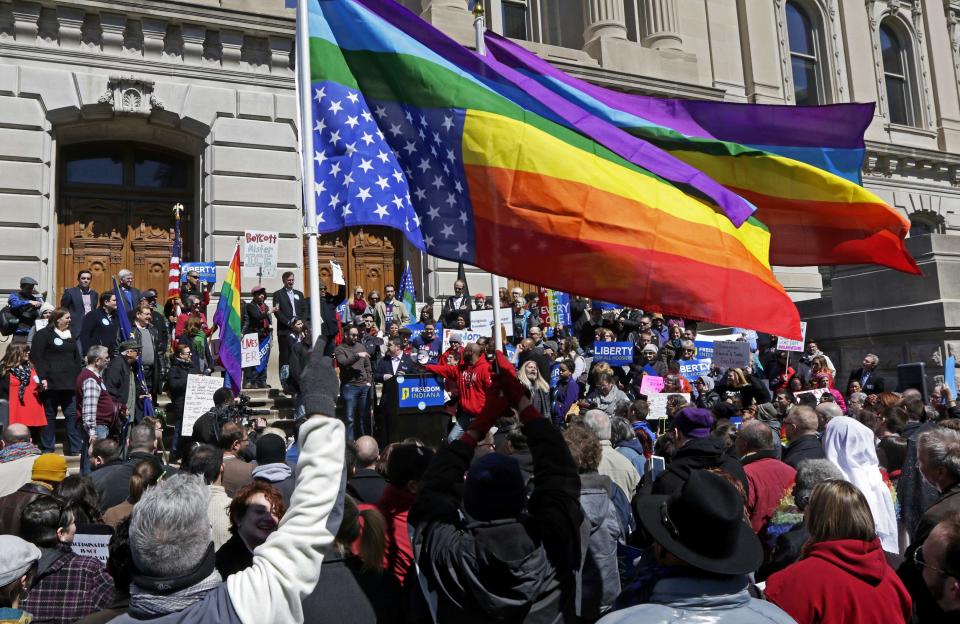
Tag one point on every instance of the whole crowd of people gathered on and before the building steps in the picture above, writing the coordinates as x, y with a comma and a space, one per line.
763, 493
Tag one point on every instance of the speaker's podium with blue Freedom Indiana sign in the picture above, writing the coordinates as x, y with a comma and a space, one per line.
412, 405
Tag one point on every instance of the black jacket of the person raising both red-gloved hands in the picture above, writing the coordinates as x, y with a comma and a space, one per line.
520, 570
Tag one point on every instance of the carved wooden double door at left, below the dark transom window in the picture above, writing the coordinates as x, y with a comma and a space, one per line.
104, 235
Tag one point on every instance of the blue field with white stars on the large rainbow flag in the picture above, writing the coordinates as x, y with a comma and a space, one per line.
394, 165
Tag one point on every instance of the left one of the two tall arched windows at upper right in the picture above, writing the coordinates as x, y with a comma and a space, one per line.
805, 41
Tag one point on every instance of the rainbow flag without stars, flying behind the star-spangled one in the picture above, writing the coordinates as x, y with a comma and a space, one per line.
800, 166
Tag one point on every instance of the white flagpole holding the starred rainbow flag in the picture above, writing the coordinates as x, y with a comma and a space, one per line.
306, 161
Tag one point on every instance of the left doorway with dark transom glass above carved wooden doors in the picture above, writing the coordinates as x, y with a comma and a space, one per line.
115, 212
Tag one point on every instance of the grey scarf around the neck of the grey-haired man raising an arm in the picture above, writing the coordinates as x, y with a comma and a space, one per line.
152, 597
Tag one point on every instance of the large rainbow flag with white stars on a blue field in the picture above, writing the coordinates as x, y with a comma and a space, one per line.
483, 174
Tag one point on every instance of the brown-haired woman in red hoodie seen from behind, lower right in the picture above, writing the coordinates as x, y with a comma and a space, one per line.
843, 576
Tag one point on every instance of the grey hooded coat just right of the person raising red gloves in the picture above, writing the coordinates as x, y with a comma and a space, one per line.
599, 579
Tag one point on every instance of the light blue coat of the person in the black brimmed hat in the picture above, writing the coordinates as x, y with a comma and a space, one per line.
717, 600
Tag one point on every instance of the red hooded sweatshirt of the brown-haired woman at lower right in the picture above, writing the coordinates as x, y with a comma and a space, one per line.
844, 582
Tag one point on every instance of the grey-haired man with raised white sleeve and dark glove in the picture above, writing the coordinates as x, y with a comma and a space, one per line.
174, 577
